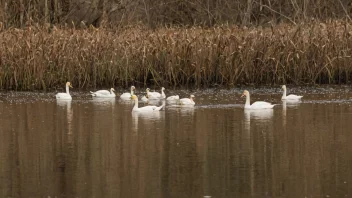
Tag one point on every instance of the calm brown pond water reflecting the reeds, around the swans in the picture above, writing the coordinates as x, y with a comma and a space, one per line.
93, 148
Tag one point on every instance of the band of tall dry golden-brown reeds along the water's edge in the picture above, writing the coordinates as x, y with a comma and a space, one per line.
33, 58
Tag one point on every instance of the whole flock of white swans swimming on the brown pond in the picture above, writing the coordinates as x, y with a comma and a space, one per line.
171, 99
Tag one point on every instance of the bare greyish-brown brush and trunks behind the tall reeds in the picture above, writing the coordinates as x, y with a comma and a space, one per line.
154, 13
